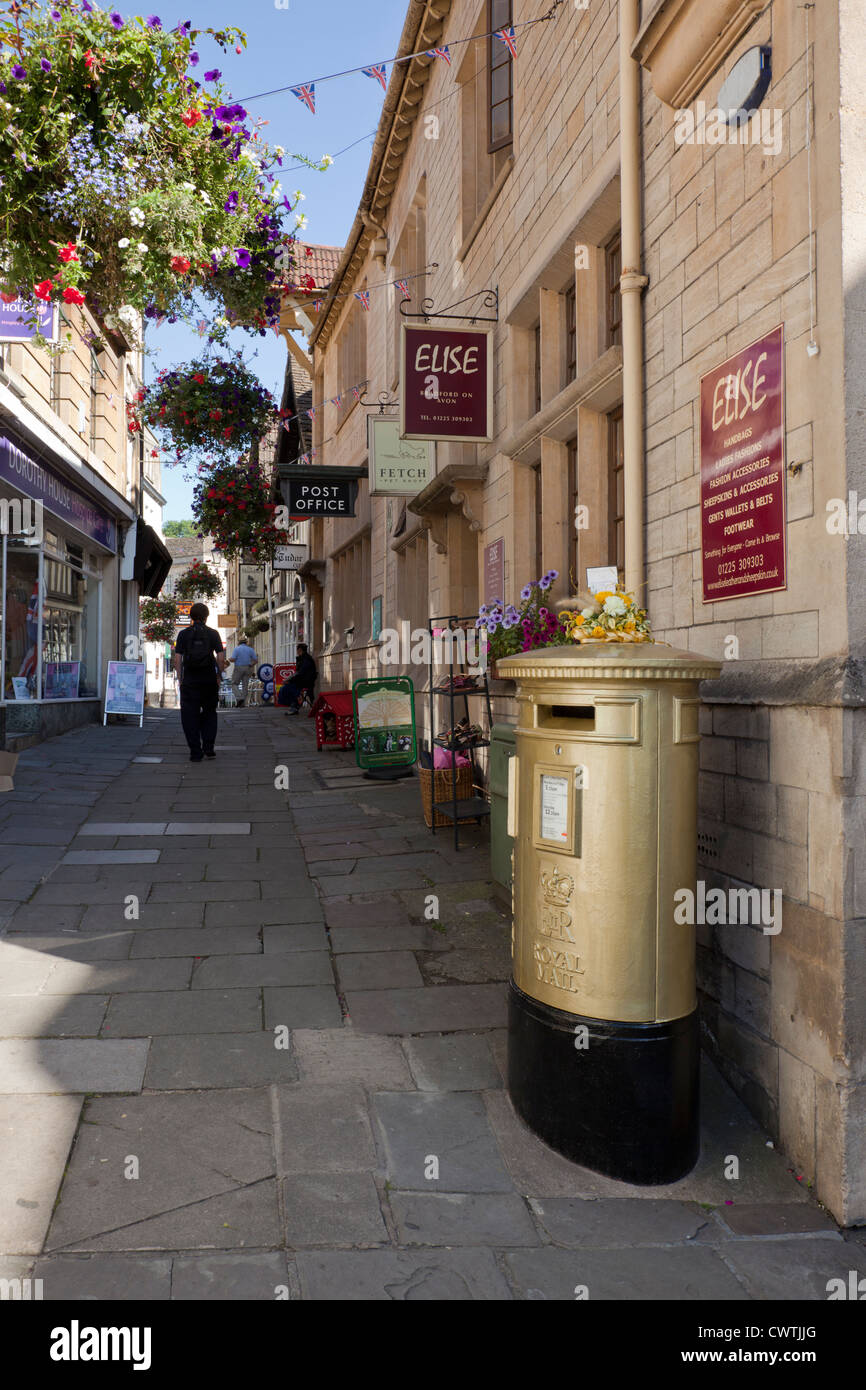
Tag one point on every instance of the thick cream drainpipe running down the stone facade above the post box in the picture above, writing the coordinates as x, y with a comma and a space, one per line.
632, 287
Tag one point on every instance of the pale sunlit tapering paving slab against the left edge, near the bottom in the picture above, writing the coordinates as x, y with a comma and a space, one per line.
37, 1134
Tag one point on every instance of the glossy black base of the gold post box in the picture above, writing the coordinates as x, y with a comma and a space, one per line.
623, 1103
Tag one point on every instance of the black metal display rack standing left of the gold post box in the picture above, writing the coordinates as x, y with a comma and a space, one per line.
464, 696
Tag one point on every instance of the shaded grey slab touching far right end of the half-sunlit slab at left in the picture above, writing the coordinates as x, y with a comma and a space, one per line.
188, 1011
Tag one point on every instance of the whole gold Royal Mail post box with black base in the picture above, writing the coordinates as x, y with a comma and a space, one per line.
604, 1042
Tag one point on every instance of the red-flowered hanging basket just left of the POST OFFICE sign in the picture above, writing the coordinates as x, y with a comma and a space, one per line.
233, 507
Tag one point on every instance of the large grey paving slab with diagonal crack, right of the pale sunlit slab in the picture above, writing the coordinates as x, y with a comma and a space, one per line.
191, 1147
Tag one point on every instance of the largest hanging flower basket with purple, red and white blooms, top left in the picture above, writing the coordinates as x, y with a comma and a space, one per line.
127, 184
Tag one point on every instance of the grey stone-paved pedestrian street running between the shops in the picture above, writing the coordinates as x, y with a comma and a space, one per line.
252, 1047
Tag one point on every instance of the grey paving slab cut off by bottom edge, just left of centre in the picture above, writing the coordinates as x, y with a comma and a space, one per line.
402, 1277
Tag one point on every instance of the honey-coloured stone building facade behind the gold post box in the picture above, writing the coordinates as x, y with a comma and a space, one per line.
564, 181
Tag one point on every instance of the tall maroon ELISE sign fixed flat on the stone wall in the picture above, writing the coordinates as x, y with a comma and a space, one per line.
743, 473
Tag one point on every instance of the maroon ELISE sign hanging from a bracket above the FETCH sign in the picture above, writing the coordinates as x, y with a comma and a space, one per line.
447, 390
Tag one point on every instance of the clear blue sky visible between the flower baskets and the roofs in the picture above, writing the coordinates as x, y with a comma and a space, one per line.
307, 41
